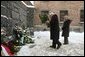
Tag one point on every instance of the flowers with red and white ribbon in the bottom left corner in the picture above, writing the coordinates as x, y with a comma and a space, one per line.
6, 44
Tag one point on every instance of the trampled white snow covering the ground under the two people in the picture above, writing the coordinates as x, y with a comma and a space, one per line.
42, 43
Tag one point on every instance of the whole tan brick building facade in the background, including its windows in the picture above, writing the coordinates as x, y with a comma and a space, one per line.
74, 9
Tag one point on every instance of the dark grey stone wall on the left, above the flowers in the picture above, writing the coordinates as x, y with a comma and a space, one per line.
16, 12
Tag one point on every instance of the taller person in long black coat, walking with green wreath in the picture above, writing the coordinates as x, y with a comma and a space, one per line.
54, 31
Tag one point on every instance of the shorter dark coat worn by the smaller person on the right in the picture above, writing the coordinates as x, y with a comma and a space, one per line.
65, 28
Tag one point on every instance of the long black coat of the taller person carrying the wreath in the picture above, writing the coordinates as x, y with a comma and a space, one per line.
54, 28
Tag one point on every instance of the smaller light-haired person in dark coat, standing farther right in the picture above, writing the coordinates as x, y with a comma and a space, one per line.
65, 29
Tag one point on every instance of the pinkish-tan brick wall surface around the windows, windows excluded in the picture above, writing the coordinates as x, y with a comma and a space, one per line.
73, 8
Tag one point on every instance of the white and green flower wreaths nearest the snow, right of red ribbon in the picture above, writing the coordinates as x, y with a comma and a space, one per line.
23, 37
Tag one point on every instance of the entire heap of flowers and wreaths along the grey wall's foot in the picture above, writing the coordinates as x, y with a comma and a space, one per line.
11, 44
